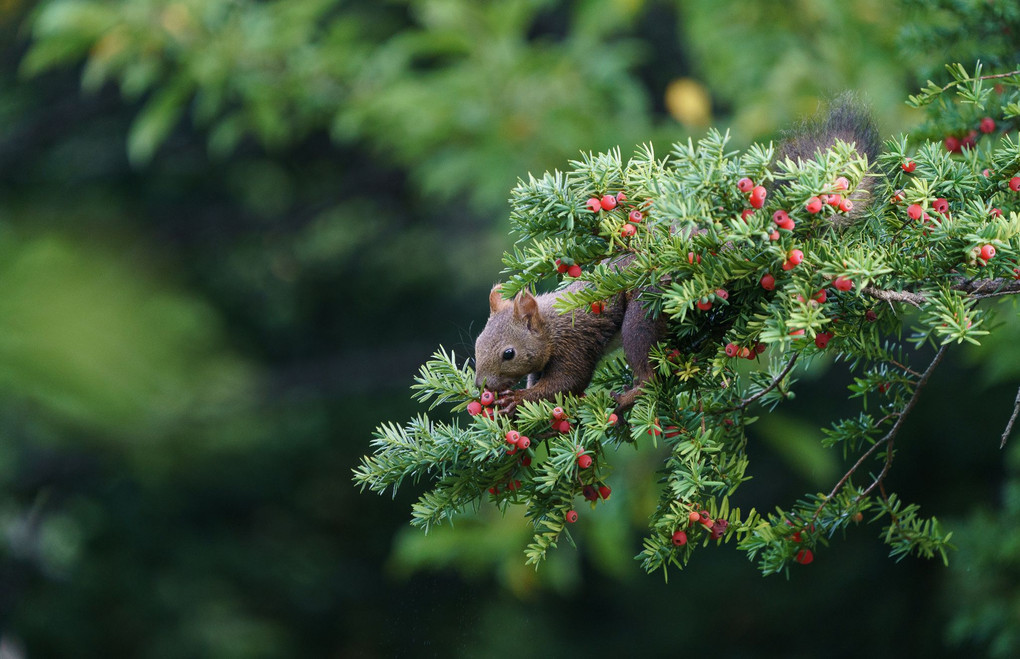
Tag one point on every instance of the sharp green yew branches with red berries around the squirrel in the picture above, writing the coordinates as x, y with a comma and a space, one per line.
940, 233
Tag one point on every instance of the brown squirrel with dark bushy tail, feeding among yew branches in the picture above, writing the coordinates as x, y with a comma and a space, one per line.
558, 352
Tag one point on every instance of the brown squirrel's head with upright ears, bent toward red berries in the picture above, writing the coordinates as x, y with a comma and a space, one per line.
515, 343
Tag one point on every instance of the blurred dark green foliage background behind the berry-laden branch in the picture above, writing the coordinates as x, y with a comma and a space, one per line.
230, 233
